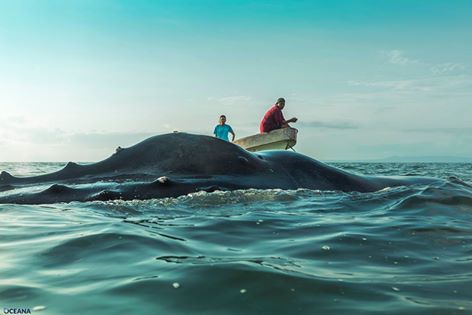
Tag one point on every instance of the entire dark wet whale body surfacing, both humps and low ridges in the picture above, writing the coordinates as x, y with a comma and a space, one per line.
176, 164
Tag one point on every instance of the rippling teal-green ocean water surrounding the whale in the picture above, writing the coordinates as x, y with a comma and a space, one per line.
402, 250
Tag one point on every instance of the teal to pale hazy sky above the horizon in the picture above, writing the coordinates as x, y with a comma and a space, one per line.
367, 79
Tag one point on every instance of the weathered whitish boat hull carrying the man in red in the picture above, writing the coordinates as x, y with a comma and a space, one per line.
279, 139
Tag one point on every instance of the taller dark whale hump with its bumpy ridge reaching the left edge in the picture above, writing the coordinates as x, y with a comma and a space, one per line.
175, 153
